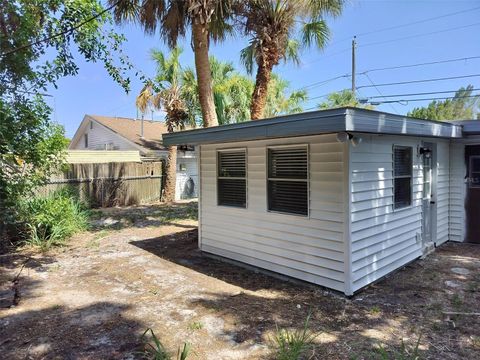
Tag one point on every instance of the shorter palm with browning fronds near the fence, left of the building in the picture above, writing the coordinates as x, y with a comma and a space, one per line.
165, 94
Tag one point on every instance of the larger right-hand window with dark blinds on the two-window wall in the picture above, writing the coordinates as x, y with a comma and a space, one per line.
288, 180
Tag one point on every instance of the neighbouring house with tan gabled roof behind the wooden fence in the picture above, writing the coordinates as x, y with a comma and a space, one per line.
124, 135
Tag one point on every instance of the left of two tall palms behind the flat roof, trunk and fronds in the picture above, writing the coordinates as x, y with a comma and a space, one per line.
208, 20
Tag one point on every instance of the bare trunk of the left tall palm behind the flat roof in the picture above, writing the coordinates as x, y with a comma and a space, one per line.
204, 76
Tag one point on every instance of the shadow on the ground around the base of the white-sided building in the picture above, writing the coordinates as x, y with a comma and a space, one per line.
404, 306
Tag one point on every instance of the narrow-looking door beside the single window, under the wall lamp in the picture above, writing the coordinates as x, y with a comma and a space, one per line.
428, 201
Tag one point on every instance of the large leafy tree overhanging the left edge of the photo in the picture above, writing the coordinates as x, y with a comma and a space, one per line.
36, 41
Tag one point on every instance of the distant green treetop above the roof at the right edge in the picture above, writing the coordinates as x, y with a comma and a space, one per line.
463, 106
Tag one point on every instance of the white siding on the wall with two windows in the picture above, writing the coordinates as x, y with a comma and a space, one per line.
309, 248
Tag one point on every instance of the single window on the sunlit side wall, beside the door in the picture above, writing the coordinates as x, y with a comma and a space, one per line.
402, 174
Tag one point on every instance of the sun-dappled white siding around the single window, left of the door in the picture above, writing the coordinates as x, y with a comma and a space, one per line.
382, 239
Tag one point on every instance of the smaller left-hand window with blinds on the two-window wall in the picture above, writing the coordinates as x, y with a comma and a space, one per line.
231, 178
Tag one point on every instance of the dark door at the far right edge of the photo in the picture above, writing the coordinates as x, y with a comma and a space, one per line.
472, 204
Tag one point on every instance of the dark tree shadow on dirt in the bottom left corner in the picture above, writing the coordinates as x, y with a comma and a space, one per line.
96, 331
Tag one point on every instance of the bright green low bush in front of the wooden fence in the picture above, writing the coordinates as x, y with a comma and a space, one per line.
49, 221
